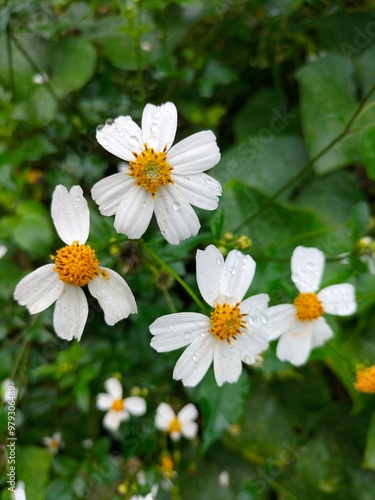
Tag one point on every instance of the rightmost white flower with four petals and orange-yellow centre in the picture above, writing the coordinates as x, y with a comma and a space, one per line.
301, 325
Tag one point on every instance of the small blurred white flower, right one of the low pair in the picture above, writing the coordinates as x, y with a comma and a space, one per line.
176, 425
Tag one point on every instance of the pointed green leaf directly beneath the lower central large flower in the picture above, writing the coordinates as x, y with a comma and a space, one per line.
221, 406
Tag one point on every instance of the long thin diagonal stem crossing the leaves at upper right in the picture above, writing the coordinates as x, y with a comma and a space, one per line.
309, 164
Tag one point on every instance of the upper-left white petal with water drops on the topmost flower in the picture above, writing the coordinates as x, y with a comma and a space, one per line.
122, 137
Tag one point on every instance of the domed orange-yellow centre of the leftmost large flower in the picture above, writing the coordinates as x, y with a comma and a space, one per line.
76, 264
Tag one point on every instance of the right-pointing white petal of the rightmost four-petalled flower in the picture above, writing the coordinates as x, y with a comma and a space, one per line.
338, 299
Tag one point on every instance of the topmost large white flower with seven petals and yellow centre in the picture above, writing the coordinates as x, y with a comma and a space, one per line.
158, 178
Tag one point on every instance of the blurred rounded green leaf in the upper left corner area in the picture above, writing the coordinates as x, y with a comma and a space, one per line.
73, 62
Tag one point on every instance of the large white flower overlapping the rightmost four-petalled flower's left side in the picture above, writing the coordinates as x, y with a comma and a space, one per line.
231, 335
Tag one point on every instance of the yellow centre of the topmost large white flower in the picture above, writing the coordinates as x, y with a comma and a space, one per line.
151, 170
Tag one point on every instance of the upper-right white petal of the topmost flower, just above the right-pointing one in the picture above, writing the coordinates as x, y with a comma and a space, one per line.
195, 154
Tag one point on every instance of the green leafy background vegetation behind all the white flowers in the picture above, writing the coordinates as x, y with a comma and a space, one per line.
288, 88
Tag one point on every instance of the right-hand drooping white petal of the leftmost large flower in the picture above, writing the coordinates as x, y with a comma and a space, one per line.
114, 296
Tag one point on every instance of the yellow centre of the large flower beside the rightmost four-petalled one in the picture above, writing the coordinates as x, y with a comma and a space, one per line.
227, 322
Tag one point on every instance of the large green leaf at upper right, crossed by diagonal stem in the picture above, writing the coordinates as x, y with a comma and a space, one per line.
327, 103
